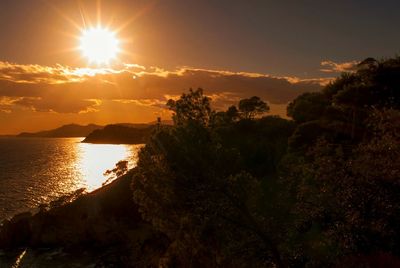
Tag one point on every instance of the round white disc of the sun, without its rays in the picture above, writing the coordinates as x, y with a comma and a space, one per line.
99, 45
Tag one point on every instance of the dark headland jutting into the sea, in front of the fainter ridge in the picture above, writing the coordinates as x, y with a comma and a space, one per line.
121, 134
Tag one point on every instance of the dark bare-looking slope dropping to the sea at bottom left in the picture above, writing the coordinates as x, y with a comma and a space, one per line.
101, 228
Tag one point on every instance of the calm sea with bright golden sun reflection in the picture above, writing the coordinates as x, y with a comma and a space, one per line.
38, 170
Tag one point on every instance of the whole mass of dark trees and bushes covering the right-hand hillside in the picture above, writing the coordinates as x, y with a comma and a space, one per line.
236, 189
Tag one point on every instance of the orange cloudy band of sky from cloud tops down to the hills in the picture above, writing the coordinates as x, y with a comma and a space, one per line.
36, 97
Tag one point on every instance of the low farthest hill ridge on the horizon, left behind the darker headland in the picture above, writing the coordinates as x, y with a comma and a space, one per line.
71, 130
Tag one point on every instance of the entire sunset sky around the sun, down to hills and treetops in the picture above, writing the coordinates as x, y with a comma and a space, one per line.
233, 49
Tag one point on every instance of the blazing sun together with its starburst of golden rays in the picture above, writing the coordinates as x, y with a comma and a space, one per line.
97, 40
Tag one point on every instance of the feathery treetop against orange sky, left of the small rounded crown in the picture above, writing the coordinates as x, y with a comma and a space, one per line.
193, 106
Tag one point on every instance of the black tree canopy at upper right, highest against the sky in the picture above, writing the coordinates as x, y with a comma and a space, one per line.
346, 103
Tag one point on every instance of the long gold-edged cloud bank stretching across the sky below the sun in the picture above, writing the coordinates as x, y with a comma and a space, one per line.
62, 89
